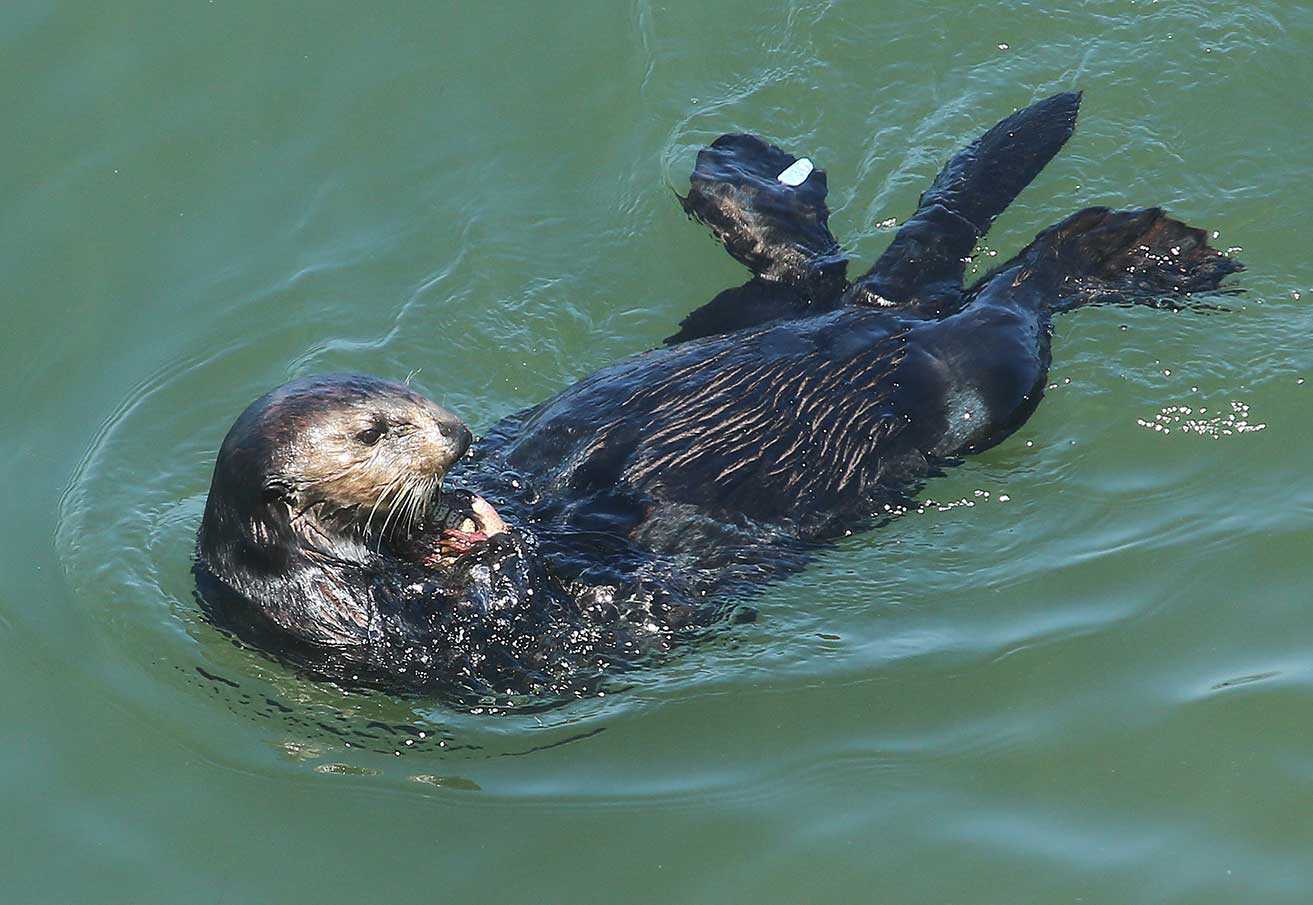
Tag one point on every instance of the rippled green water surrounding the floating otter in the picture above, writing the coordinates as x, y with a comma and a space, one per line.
1097, 690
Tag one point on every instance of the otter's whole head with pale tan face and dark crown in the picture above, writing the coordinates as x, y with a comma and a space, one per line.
321, 466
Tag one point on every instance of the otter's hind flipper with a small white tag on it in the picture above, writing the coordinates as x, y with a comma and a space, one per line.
769, 210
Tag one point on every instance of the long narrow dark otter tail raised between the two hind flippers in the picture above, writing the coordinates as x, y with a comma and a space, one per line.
924, 266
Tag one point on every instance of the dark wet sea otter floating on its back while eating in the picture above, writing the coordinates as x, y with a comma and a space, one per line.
631, 509
